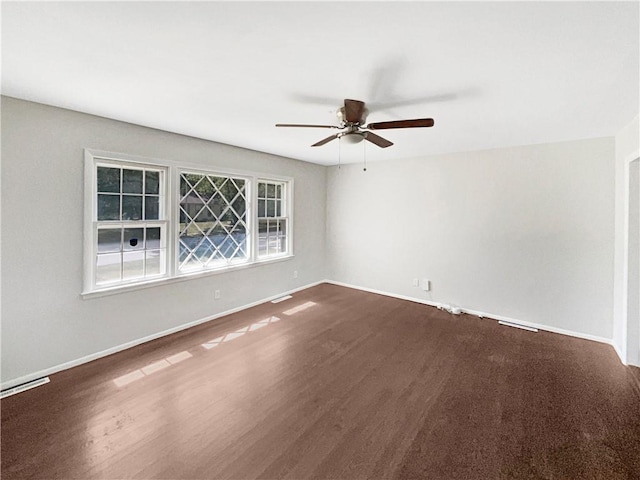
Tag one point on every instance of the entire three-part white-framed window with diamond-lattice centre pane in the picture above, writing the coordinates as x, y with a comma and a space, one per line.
153, 220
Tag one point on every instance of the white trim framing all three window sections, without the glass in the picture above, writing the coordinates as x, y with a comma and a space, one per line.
171, 199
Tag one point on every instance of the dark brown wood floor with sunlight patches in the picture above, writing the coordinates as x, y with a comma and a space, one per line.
335, 383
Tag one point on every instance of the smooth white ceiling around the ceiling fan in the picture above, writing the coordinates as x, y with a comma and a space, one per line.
490, 74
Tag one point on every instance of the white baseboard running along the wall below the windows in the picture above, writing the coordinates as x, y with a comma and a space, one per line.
109, 351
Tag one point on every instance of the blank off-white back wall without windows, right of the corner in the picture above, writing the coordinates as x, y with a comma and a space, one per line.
525, 233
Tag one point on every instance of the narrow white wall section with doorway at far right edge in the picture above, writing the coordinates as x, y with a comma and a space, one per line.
626, 295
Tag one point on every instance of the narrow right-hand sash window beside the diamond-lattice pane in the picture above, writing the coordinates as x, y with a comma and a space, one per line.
272, 219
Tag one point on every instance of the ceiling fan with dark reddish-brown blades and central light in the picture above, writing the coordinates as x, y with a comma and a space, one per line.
352, 117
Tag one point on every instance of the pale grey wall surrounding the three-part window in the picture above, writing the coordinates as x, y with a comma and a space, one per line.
45, 322
